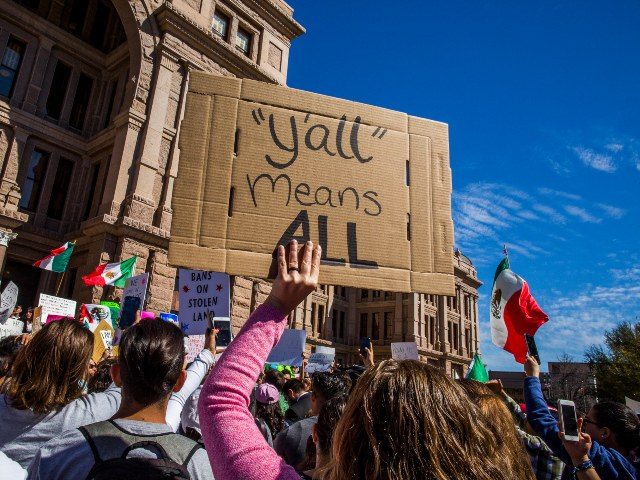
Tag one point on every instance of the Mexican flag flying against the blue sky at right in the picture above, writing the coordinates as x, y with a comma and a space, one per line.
514, 312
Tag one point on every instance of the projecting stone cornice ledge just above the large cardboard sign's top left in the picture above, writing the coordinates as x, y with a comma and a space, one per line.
171, 20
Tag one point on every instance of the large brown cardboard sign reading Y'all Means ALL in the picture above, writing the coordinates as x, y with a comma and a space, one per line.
261, 164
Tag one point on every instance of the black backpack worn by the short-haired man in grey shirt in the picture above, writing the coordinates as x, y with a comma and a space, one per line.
111, 446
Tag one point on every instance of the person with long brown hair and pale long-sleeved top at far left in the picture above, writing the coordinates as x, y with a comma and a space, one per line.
44, 394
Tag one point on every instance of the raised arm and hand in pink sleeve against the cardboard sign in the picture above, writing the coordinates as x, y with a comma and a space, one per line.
235, 446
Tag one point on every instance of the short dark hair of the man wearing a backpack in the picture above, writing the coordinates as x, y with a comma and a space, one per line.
151, 357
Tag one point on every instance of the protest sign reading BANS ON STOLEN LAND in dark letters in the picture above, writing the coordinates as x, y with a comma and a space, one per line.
203, 296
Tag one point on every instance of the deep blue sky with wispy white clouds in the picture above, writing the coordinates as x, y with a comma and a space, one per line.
542, 101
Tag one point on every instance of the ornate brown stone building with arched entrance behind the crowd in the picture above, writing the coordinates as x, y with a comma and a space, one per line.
91, 98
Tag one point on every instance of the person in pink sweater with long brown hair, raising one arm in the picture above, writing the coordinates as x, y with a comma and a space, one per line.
404, 420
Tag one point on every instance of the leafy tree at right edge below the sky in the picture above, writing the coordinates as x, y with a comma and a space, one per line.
617, 364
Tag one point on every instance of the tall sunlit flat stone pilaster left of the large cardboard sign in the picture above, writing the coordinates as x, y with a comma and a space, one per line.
147, 166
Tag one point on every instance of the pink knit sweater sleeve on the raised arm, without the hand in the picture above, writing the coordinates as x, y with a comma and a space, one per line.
236, 448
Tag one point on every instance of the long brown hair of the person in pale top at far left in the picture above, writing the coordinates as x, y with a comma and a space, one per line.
48, 371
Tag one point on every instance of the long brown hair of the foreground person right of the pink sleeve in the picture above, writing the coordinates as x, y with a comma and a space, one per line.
405, 420
